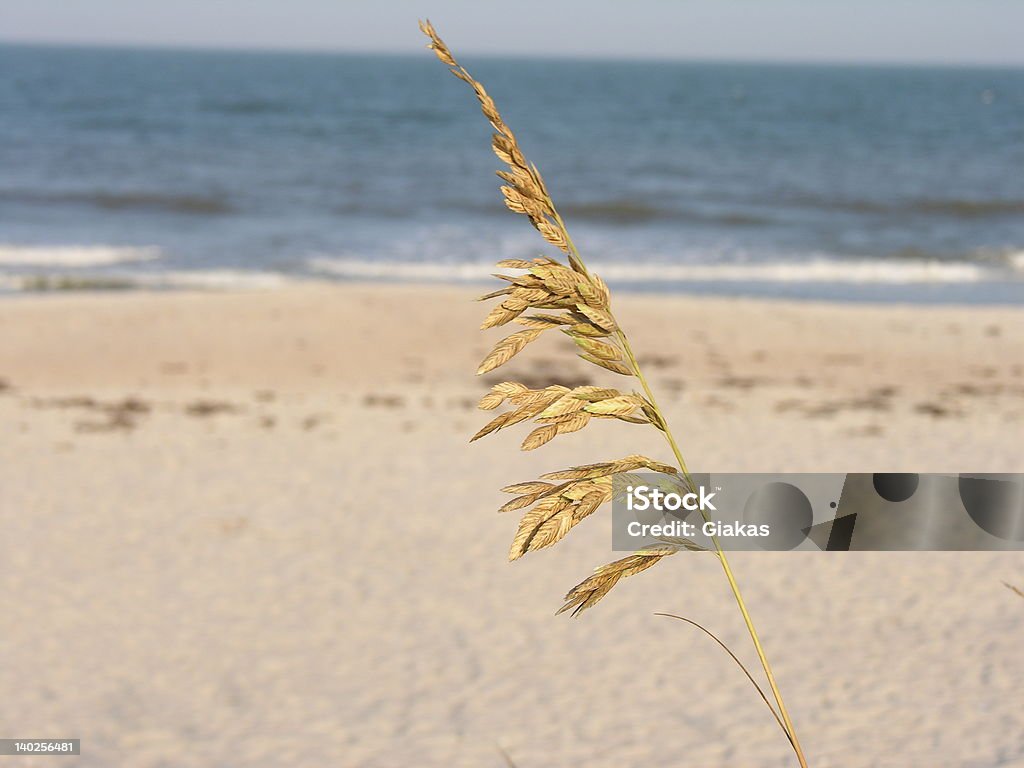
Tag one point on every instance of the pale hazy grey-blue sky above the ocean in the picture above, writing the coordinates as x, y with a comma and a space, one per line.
979, 32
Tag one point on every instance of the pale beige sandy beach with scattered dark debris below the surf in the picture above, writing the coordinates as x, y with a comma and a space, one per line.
247, 530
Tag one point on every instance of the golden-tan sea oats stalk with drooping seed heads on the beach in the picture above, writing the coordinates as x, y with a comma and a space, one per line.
548, 294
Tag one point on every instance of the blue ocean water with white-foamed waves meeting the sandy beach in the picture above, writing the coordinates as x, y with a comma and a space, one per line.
163, 169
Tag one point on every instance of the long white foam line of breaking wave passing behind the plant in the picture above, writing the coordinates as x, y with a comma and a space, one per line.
816, 271
